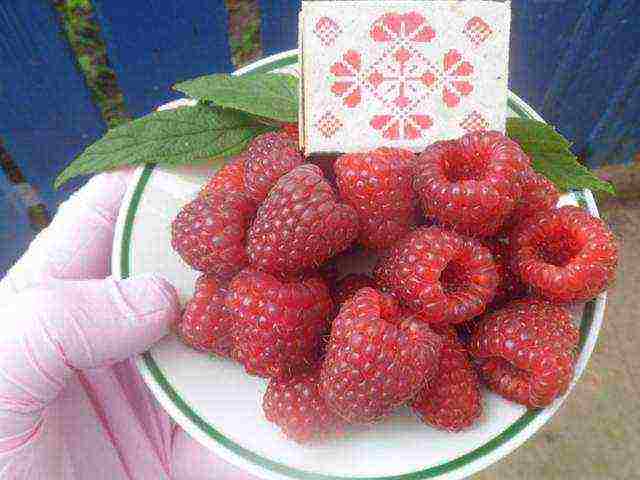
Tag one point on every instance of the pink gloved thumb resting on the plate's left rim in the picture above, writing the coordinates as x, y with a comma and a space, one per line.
49, 332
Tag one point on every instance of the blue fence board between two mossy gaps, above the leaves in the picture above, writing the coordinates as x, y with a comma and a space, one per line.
153, 44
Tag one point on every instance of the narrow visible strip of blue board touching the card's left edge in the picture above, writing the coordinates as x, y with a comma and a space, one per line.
279, 25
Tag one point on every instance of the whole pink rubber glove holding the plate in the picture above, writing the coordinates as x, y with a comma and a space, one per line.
72, 404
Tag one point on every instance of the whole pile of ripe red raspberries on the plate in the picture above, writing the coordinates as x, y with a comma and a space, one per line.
475, 268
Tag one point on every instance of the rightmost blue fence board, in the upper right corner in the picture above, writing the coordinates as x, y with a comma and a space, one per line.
595, 80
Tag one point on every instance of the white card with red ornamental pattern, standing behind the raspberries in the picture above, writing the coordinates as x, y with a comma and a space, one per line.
401, 73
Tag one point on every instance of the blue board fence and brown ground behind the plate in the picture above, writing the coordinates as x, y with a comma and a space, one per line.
70, 69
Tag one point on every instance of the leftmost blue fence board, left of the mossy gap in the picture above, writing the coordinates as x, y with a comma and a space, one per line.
46, 113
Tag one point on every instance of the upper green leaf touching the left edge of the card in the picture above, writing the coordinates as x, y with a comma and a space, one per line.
270, 95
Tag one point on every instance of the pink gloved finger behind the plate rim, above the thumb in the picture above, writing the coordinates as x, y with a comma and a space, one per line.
77, 245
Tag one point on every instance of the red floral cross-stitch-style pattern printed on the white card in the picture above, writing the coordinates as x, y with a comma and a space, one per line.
402, 77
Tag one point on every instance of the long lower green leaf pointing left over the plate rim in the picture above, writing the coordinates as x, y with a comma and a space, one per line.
181, 136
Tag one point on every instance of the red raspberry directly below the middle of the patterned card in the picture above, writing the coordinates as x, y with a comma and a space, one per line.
378, 185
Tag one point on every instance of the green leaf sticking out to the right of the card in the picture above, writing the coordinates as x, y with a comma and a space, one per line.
551, 156
